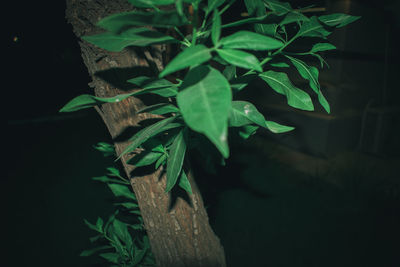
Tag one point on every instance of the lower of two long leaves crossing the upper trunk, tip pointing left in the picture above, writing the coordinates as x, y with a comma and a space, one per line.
115, 42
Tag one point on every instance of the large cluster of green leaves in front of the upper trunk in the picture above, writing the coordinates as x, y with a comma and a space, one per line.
200, 83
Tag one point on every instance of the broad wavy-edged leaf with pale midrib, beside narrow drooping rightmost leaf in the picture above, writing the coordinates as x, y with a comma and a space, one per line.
280, 83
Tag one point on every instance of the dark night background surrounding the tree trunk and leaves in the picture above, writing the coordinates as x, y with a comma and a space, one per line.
317, 196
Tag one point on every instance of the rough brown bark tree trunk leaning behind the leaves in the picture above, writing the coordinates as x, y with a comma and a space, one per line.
178, 229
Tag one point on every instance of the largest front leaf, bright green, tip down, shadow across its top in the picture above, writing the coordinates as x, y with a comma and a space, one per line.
205, 103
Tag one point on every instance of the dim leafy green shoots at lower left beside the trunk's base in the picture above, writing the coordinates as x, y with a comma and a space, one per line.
123, 244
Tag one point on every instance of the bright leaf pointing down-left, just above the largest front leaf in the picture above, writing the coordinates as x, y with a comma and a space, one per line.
191, 56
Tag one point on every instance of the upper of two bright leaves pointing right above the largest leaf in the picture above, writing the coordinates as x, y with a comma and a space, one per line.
251, 41
